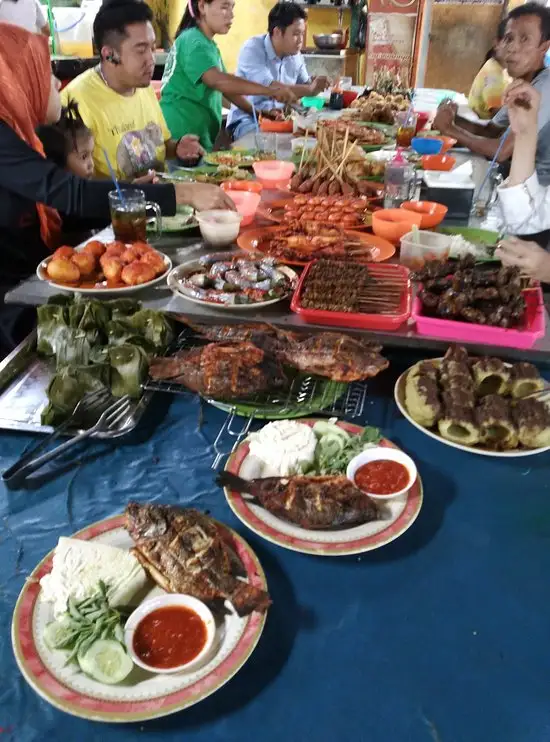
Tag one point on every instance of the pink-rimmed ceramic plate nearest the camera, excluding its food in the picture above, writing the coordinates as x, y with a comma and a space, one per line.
143, 695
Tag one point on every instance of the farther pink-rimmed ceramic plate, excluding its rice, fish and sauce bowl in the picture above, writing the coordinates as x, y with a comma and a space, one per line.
397, 516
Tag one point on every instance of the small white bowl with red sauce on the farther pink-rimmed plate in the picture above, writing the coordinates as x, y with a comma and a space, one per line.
382, 472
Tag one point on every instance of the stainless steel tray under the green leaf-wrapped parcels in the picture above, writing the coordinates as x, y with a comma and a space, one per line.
24, 378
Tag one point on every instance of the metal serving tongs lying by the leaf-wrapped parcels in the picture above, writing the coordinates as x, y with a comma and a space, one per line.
89, 407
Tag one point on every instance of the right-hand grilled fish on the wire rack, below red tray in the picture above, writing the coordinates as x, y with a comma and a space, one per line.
338, 357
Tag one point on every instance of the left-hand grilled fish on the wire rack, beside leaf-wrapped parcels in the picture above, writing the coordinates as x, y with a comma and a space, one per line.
221, 370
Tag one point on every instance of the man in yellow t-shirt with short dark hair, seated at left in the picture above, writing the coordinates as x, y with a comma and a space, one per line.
116, 99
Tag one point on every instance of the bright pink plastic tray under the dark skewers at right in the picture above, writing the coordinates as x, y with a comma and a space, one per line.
525, 336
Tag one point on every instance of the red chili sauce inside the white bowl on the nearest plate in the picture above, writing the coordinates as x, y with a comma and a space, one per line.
169, 637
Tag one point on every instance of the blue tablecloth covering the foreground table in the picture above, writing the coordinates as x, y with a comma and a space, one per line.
441, 636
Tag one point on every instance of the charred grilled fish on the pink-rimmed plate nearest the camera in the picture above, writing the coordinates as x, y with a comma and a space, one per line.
187, 552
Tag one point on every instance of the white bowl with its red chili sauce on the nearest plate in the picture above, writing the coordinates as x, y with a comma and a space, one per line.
170, 633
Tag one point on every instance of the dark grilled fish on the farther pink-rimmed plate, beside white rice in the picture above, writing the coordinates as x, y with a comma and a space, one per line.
314, 503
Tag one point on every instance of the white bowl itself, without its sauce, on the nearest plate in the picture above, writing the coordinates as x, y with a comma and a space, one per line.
165, 601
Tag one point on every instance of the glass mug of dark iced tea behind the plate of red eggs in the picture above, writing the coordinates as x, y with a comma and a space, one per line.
129, 215
